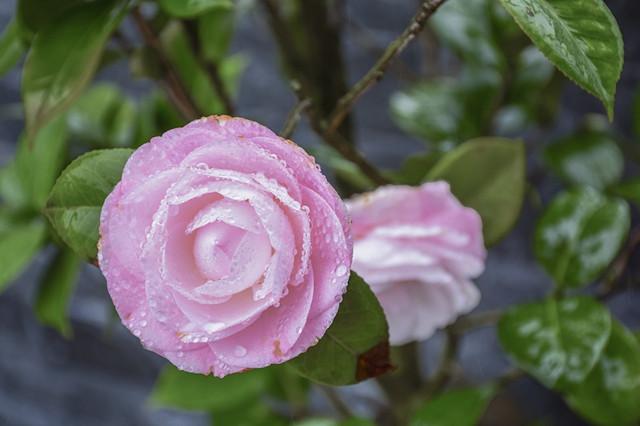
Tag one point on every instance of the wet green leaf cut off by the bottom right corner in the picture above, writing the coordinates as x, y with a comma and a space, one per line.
610, 395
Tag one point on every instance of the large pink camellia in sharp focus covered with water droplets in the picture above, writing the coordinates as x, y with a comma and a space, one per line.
224, 247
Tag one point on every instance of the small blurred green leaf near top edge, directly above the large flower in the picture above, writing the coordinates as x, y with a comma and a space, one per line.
215, 30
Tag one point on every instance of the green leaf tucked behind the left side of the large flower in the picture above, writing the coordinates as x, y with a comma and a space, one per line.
77, 197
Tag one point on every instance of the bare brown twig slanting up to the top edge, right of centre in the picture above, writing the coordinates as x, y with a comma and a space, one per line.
346, 102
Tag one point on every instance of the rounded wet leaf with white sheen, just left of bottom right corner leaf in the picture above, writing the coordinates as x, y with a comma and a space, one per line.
558, 342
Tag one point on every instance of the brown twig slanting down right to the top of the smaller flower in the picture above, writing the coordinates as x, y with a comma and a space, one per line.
337, 142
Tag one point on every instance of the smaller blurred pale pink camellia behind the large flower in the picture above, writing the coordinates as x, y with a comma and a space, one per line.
417, 248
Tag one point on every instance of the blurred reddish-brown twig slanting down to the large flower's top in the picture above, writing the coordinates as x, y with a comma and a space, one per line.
172, 83
